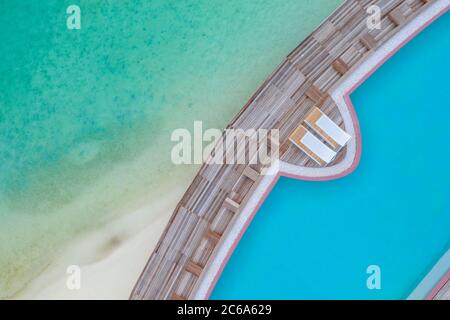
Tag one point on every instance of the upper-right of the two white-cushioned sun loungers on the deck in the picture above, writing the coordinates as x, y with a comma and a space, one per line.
327, 129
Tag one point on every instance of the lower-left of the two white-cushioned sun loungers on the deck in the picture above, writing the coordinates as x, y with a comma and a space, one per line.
312, 146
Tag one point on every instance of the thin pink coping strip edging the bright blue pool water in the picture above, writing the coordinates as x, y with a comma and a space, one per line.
356, 159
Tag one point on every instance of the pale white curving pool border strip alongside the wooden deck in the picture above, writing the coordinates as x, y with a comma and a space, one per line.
341, 96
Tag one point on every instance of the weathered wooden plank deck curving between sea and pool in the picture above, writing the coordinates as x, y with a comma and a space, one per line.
218, 192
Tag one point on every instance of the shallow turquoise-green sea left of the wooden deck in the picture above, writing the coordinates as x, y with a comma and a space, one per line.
86, 115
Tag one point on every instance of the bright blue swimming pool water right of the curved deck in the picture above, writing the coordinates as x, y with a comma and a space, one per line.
314, 240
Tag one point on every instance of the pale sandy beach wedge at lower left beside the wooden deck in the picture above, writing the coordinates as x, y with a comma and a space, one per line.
109, 268
